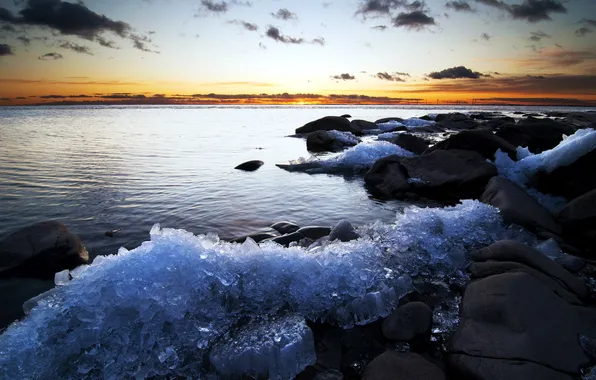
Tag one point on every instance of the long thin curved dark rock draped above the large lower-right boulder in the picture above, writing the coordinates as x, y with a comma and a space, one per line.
508, 250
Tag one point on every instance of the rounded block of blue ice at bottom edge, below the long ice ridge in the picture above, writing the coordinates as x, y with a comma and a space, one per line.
279, 348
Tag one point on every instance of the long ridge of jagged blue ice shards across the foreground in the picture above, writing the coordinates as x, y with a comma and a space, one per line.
160, 309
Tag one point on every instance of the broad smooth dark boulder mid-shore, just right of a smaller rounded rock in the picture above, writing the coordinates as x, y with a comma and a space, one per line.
449, 174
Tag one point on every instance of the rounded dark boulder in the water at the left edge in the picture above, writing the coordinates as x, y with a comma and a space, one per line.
41, 250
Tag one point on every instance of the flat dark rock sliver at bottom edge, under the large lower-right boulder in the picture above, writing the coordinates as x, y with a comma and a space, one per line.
470, 367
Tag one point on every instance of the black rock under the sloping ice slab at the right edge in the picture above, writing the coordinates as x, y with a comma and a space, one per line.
569, 181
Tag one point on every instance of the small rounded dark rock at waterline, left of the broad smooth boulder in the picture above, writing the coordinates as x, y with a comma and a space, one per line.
387, 176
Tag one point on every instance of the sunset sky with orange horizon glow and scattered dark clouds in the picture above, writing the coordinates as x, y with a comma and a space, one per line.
300, 52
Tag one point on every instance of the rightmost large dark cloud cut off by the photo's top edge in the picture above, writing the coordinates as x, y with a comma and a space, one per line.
529, 10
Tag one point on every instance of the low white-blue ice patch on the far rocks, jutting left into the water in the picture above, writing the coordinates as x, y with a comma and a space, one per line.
356, 159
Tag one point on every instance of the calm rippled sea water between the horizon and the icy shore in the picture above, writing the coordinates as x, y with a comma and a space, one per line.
104, 168
